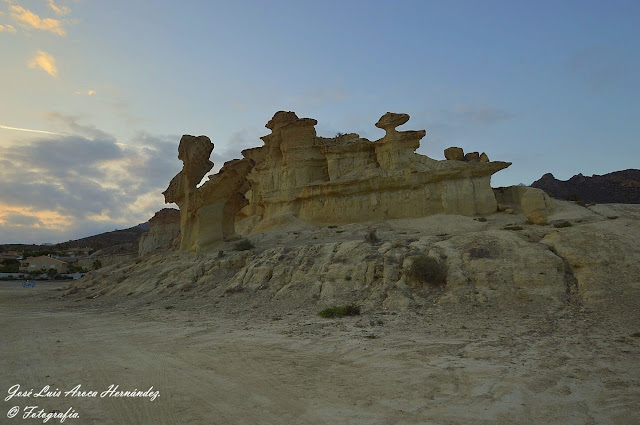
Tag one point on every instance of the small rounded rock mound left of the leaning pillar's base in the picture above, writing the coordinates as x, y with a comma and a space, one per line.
164, 232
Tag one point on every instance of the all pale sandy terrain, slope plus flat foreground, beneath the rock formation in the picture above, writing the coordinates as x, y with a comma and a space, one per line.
535, 326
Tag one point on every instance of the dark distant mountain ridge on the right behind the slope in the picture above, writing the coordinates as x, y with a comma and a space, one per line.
621, 187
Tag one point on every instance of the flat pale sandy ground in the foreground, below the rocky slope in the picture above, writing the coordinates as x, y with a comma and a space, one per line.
235, 364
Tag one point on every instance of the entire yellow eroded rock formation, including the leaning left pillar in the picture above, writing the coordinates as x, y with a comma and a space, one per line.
297, 175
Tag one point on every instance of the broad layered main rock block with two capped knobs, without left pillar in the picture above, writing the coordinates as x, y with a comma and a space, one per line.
350, 179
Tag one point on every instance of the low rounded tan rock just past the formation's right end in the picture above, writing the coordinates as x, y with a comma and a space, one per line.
531, 202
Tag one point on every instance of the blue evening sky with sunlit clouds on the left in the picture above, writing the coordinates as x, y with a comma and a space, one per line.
95, 95
